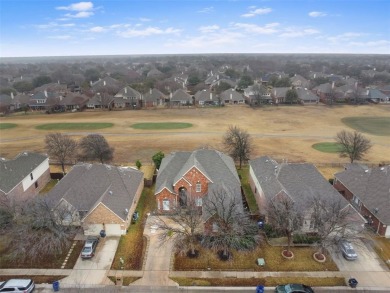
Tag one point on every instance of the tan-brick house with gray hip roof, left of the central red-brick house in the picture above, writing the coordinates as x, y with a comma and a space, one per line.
98, 197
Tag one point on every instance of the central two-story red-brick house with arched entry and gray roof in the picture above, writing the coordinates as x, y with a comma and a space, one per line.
193, 176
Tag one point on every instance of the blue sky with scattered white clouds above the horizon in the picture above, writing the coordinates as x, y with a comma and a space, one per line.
66, 28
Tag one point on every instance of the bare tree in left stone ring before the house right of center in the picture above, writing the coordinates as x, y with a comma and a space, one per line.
284, 216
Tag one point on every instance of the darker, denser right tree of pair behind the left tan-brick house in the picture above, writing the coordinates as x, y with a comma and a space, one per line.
95, 147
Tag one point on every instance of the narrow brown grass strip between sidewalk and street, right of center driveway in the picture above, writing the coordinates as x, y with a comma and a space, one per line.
268, 281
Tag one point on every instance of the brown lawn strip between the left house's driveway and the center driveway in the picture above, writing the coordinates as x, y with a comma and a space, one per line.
132, 245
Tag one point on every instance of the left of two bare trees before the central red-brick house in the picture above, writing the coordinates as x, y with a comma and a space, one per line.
183, 228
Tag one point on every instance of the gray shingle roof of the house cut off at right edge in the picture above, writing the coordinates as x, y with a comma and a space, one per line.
371, 186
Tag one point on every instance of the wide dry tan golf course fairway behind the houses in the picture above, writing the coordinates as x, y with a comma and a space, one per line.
281, 132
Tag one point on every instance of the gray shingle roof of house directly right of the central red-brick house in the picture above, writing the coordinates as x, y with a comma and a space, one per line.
302, 182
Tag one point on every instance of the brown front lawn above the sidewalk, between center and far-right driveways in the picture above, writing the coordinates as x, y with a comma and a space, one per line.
241, 261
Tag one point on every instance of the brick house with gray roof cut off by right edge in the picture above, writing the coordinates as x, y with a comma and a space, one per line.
368, 190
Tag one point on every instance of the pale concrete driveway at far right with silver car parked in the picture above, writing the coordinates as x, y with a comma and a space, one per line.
368, 260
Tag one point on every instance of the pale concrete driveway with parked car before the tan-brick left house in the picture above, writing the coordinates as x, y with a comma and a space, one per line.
94, 270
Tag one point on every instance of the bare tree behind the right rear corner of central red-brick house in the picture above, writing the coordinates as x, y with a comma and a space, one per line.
238, 144
